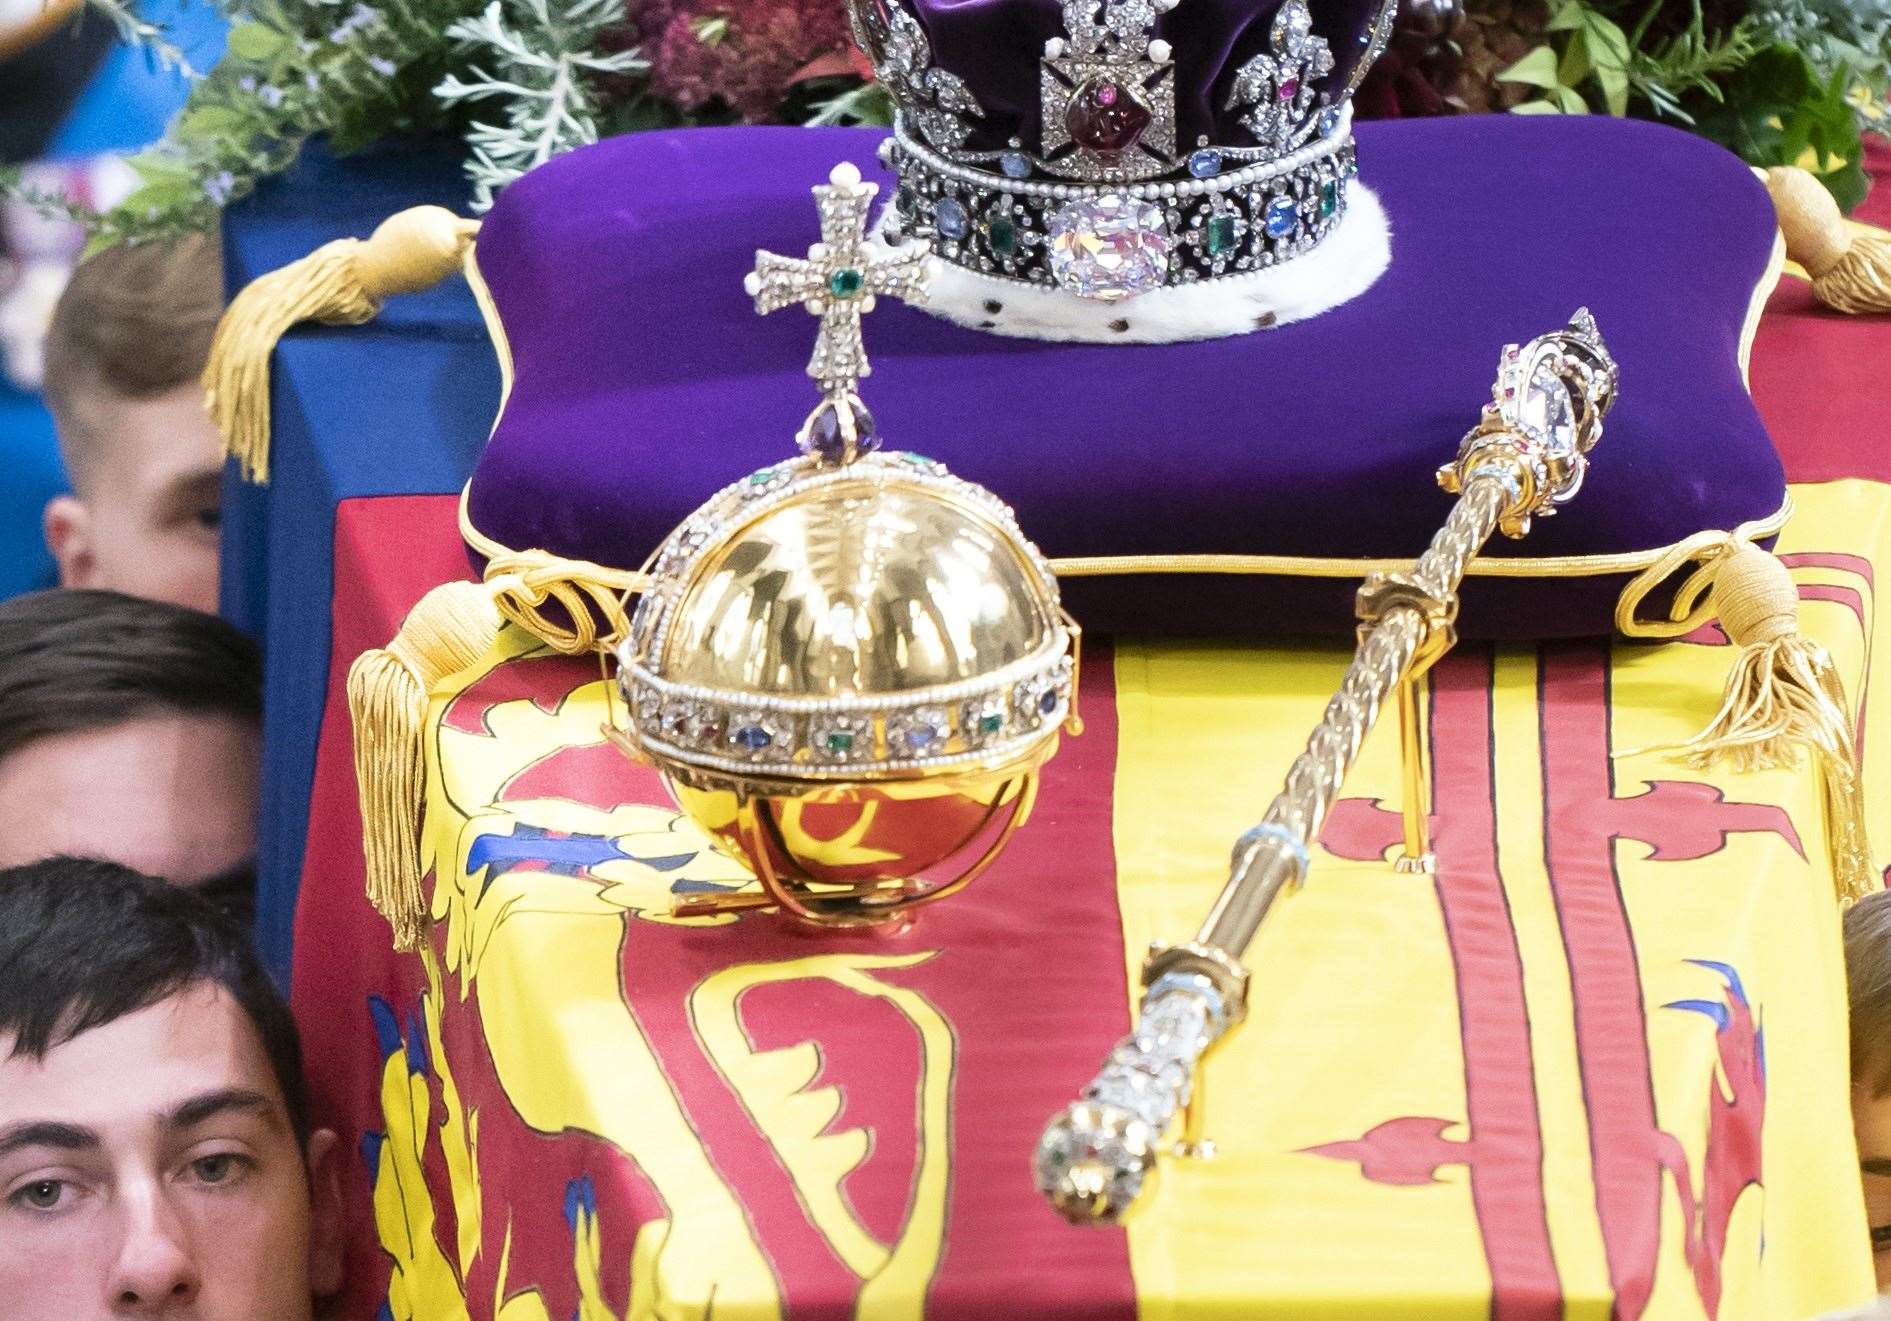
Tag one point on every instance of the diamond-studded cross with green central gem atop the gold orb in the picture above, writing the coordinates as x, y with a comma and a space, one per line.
839, 281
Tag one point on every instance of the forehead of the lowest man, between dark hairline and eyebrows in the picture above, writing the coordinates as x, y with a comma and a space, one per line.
141, 1067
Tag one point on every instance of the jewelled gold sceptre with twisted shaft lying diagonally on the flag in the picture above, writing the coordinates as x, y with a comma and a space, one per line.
1525, 458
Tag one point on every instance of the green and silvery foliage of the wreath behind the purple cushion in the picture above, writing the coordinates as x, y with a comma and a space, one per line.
1794, 82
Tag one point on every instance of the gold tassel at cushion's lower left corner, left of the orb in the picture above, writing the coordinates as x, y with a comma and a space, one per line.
389, 693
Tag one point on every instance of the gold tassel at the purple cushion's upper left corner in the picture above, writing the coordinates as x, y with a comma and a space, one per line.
339, 284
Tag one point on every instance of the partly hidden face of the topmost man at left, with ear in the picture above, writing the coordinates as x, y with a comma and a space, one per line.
145, 521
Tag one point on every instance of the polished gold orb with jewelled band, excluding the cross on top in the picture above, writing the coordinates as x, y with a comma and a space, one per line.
850, 676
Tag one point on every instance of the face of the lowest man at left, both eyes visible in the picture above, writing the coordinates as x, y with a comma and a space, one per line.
148, 1171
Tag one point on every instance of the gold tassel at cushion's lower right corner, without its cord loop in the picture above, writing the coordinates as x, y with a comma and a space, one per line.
1784, 695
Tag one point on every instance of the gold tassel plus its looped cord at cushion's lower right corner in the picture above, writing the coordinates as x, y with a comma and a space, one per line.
1782, 693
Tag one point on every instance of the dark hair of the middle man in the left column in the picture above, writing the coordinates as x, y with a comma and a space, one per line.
84, 660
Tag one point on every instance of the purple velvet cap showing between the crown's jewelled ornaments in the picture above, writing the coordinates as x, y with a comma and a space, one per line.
996, 46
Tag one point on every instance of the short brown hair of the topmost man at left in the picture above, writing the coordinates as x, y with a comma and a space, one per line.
133, 324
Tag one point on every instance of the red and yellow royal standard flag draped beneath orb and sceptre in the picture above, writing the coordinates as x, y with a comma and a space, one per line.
1595, 1067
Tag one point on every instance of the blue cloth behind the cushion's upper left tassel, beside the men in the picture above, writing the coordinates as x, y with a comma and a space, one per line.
398, 407
